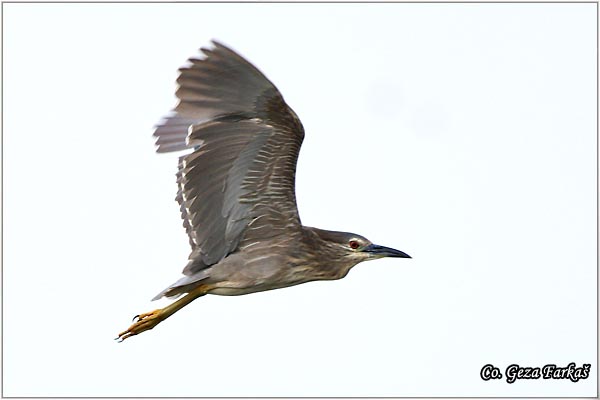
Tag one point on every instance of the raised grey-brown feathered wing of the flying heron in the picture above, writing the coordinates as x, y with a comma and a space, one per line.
238, 184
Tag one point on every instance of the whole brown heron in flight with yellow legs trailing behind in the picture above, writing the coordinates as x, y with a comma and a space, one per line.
236, 189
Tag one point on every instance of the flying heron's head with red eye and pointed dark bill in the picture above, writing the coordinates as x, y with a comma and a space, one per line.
355, 247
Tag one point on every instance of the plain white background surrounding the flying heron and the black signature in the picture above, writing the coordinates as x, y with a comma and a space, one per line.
462, 134
